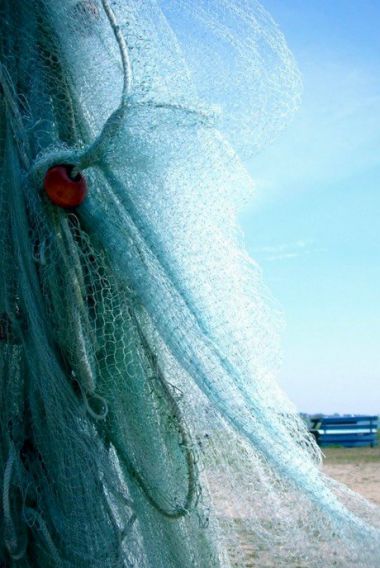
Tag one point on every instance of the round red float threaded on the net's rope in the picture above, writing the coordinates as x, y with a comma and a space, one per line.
64, 189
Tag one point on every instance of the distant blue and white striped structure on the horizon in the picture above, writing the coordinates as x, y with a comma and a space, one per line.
348, 430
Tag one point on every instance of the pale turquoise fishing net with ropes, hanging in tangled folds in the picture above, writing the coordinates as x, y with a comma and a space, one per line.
140, 423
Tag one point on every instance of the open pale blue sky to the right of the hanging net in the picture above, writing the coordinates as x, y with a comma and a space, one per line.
314, 226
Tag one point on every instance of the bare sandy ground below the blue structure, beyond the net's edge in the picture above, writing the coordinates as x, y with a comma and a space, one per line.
358, 468
